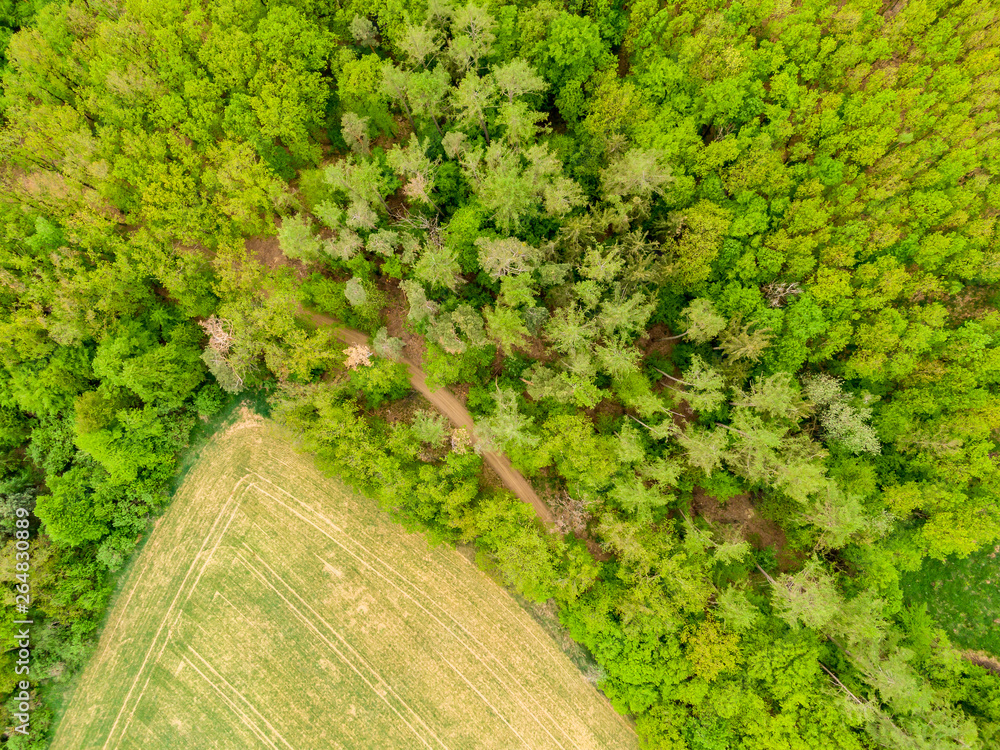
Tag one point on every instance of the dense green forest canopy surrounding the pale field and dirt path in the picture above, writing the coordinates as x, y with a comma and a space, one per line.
720, 276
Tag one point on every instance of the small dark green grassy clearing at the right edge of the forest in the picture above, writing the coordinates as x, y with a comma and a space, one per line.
963, 597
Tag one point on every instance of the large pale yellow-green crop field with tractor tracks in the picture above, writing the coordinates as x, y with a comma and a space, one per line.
274, 608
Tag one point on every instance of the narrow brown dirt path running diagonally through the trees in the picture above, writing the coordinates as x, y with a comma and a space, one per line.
451, 407
